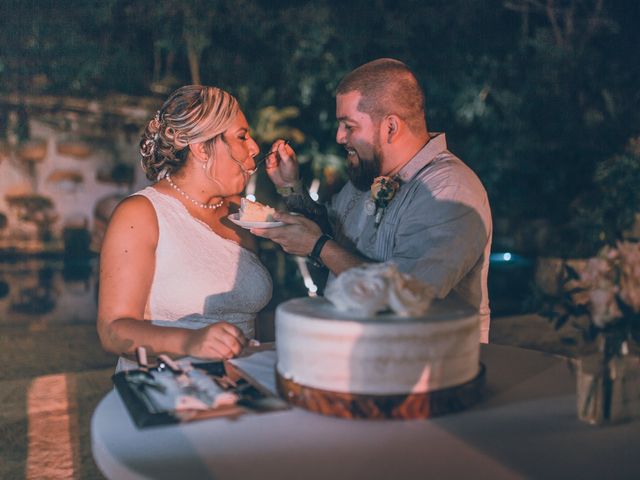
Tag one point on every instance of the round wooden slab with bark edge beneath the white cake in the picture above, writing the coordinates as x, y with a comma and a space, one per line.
404, 406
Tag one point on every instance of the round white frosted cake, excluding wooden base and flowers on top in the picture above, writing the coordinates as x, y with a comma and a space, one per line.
322, 348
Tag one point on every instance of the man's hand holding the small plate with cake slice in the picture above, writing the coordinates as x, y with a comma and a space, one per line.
297, 237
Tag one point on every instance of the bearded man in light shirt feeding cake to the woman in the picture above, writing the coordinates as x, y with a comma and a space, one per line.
429, 214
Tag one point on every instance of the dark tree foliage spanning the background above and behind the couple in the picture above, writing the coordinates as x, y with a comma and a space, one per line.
533, 99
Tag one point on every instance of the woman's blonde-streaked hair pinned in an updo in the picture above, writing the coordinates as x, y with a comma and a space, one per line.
191, 114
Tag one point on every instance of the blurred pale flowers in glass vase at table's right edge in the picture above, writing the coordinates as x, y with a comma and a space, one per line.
602, 299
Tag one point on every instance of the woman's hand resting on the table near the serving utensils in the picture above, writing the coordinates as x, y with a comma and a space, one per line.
220, 340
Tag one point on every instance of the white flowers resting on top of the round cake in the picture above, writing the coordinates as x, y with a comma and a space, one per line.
379, 287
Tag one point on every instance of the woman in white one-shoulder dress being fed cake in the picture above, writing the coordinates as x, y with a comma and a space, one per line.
170, 257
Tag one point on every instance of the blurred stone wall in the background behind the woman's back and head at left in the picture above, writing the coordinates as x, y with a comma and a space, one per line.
64, 165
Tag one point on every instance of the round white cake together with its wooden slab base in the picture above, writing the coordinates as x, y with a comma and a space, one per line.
388, 365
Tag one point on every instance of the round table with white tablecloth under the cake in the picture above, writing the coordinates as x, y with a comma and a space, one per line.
525, 428
